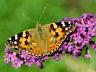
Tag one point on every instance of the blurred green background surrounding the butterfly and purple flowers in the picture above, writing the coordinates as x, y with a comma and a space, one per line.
19, 15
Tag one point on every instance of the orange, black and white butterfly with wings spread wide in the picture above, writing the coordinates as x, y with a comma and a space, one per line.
42, 40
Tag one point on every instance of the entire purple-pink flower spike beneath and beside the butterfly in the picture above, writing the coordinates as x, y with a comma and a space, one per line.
74, 44
